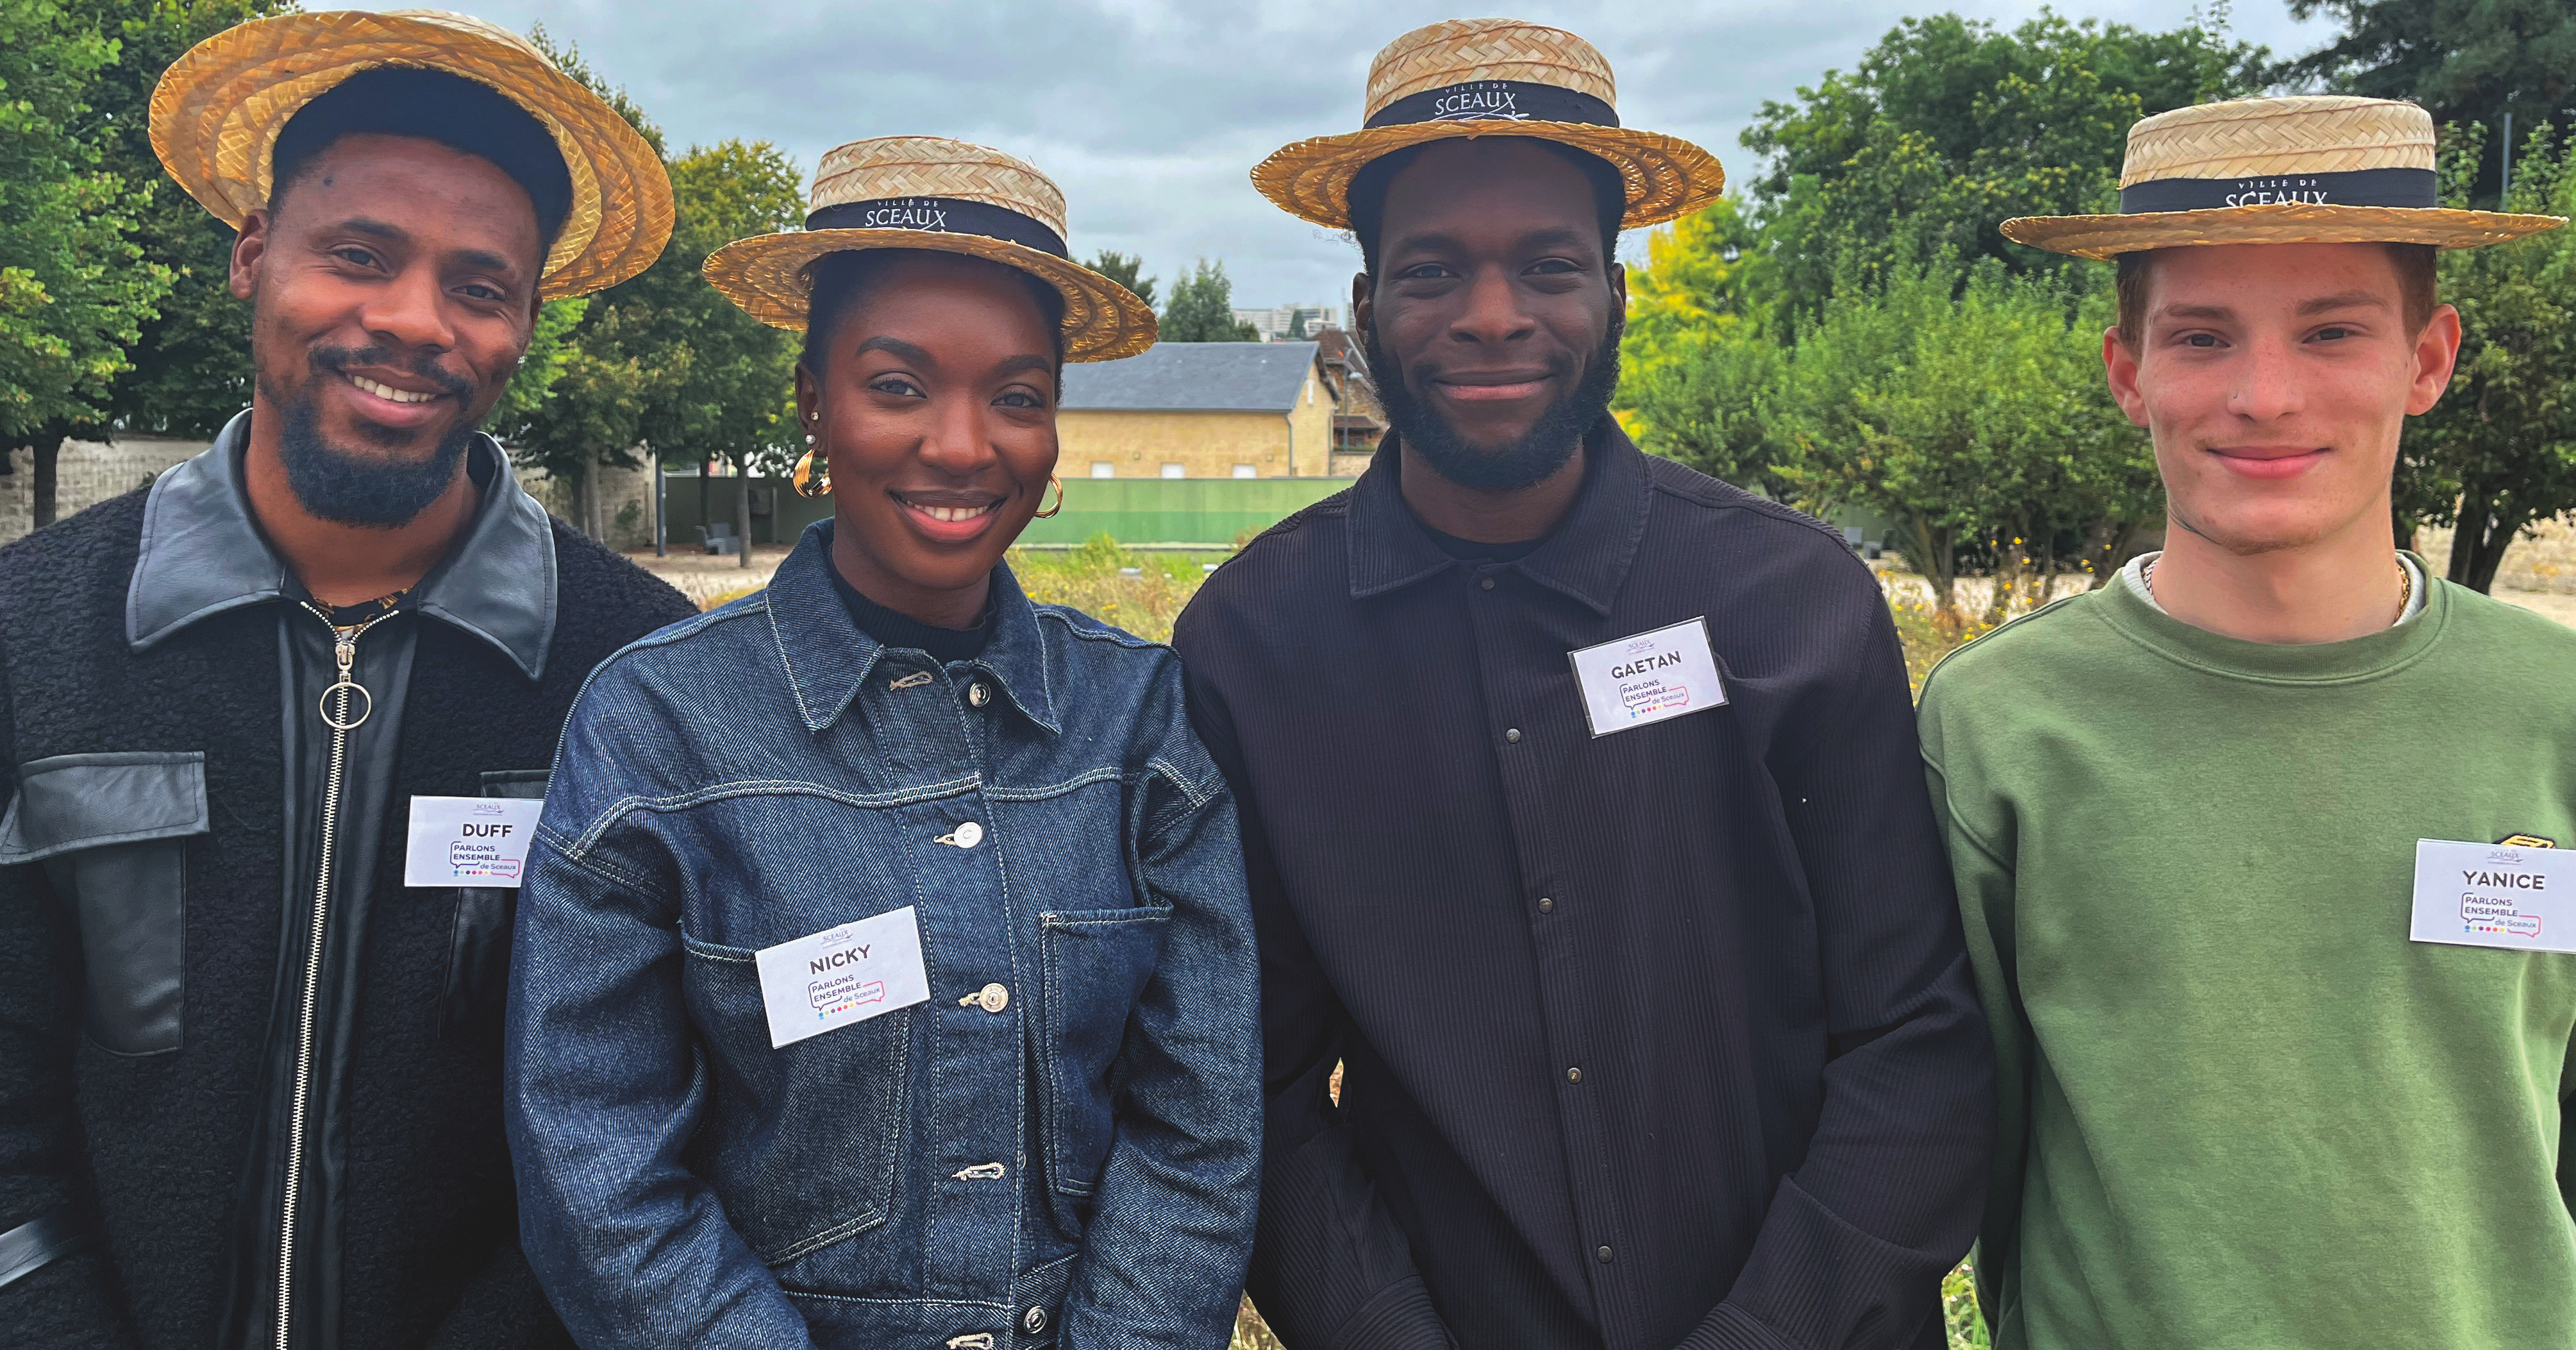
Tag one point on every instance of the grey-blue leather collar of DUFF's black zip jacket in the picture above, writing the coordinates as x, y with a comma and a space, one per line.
202, 555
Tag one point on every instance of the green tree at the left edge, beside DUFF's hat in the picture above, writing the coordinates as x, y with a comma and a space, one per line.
76, 287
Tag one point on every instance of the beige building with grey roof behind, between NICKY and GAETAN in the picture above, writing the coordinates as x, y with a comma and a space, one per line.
1207, 411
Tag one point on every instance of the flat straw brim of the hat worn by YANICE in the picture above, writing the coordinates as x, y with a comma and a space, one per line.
2281, 223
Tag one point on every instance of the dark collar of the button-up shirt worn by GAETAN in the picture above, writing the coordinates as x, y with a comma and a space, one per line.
1586, 558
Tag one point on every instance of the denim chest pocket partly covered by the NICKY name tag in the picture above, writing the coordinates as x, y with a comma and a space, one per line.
800, 1143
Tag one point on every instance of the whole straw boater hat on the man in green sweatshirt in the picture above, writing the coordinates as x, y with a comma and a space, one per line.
2278, 171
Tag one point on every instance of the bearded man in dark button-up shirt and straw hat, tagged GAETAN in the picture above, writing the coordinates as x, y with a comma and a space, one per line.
1580, 803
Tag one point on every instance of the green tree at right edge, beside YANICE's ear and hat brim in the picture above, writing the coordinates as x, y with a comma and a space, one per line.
2500, 452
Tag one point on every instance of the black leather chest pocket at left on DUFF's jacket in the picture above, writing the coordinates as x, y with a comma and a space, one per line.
112, 833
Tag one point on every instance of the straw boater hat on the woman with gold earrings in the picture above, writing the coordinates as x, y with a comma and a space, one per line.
939, 195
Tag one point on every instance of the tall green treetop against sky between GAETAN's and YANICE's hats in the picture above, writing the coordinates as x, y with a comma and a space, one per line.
1951, 125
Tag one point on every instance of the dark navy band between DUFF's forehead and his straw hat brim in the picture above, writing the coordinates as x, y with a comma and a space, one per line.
437, 107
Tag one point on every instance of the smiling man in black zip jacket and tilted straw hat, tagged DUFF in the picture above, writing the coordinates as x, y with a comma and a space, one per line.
274, 728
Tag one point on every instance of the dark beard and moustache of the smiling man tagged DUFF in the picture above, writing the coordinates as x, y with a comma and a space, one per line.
349, 486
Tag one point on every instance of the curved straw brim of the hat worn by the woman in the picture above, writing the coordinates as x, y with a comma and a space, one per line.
769, 277
